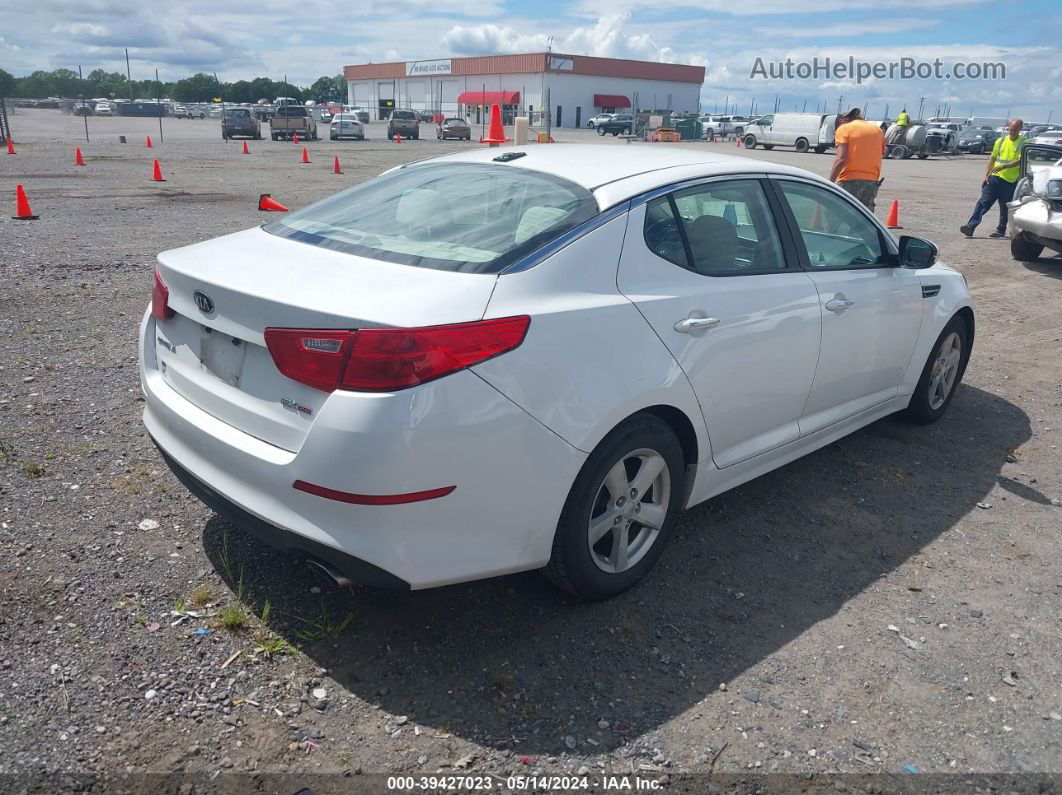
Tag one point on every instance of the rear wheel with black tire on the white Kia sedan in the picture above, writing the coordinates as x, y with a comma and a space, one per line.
621, 511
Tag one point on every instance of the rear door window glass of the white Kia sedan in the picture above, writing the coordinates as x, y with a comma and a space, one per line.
722, 229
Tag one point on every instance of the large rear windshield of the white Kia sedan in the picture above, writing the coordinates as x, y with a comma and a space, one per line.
452, 217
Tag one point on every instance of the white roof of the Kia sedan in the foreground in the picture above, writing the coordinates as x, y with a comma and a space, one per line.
616, 174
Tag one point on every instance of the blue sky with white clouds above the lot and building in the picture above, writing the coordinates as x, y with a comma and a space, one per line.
307, 39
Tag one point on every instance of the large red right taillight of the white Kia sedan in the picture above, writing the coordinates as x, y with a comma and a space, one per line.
382, 360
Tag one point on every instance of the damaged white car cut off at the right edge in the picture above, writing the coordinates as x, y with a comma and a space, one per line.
1036, 213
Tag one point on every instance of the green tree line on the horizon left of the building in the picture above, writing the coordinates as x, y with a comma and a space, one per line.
200, 88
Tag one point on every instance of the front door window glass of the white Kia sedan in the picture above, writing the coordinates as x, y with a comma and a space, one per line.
835, 234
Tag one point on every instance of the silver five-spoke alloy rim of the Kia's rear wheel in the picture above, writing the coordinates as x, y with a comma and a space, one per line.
629, 511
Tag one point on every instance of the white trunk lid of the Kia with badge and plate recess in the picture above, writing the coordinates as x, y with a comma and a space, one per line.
252, 281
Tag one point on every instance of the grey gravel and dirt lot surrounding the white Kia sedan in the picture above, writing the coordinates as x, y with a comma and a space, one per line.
761, 643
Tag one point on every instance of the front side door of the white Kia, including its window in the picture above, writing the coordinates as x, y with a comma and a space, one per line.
871, 307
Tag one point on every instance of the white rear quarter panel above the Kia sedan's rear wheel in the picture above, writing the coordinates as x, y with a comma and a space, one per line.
590, 359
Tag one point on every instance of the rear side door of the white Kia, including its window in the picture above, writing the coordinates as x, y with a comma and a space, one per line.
707, 268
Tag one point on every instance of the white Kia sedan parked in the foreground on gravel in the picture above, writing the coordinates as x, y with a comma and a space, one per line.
535, 359
